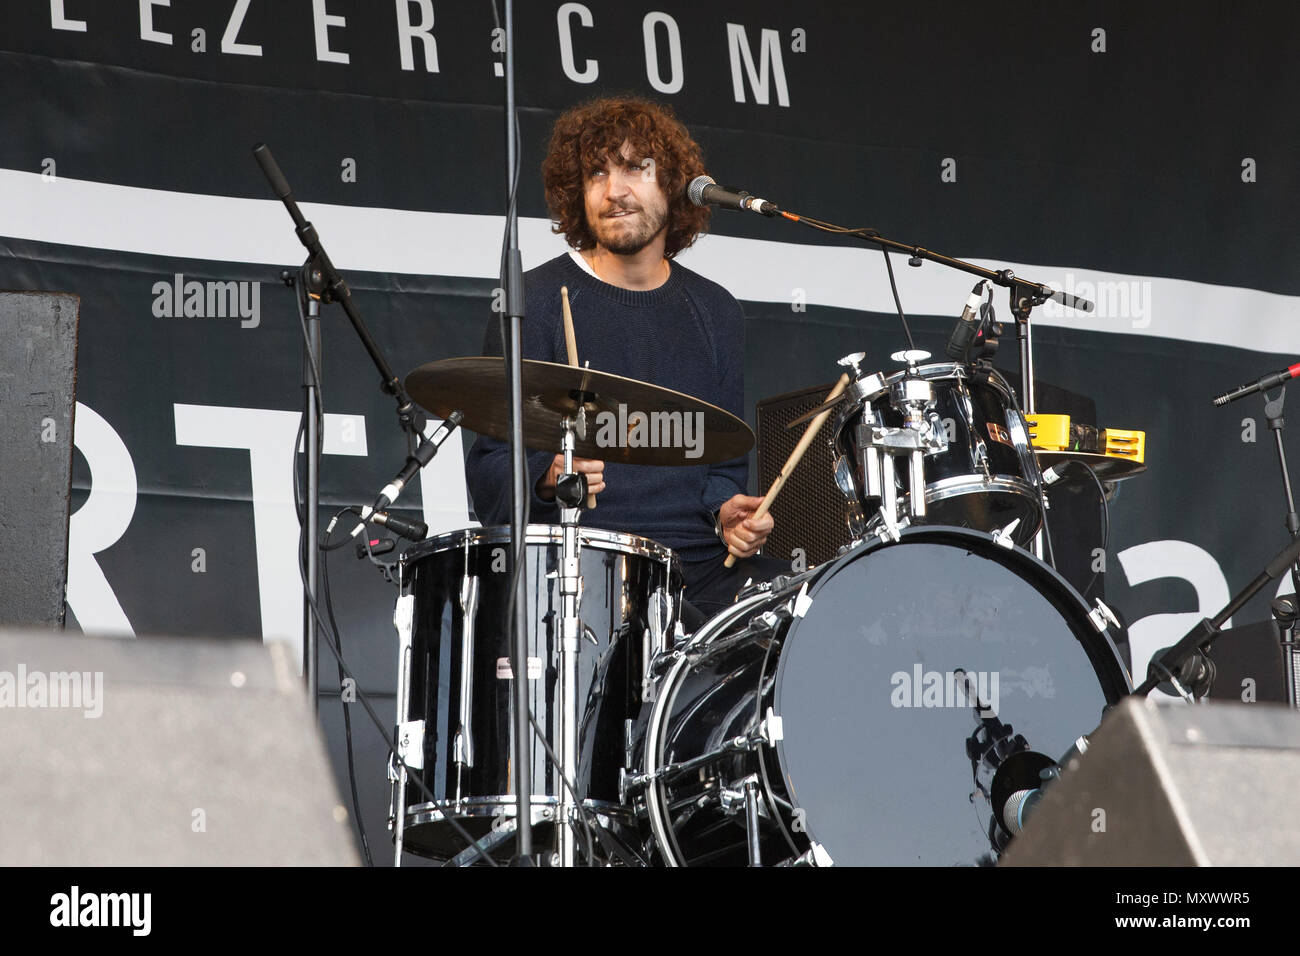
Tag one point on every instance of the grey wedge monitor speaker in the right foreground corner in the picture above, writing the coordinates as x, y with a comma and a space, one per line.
1212, 785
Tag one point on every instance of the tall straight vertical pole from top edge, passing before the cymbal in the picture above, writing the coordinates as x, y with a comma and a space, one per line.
514, 285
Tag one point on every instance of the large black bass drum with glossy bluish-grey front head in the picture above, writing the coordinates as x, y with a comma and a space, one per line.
881, 708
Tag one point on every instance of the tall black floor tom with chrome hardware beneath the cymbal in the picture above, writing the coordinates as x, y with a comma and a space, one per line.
461, 678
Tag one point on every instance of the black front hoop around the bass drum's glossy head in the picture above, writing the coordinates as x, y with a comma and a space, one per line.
993, 551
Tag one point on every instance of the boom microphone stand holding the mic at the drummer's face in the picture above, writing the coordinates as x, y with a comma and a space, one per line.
1025, 295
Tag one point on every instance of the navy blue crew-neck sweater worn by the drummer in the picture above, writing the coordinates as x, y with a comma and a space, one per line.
687, 335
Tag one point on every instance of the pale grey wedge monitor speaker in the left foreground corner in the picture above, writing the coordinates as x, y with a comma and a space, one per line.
162, 752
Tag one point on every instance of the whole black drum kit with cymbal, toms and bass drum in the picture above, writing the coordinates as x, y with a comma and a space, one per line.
894, 706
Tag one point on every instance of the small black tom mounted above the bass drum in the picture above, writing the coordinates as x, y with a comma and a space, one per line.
987, 478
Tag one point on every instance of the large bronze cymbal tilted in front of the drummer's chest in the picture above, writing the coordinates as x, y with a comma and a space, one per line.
627, 421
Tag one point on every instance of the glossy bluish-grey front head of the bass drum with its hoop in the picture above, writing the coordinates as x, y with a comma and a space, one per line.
909, 665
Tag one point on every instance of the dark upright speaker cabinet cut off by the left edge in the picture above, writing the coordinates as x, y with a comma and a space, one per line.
38, 379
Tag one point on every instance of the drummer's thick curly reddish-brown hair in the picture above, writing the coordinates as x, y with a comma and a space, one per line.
588, 136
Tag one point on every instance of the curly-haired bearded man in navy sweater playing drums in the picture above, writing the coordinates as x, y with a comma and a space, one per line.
616, 179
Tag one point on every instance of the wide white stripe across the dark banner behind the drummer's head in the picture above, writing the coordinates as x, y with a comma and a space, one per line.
434, 244
